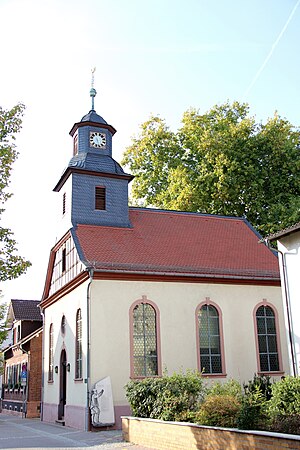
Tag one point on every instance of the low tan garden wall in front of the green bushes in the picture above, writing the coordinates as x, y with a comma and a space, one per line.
182, 436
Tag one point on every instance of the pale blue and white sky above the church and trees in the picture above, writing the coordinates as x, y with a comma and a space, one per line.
151, 57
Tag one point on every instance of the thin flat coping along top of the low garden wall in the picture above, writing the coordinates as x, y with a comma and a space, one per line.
294, 437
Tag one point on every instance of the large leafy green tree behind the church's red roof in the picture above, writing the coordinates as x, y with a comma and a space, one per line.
220, 162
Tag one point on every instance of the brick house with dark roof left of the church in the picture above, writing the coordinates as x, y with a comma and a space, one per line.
21, 392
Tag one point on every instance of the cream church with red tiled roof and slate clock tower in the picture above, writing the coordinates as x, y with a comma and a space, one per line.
131, 292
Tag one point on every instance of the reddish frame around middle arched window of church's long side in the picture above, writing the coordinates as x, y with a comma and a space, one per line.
223, 373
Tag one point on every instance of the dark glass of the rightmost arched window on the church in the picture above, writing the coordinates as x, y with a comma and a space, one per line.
267, 339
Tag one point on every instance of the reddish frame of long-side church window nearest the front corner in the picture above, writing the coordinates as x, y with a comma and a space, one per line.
144, 300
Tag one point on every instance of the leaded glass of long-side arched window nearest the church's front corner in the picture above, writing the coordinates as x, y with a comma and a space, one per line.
144, 341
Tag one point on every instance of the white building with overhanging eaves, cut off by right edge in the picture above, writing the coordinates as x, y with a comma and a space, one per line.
288, 244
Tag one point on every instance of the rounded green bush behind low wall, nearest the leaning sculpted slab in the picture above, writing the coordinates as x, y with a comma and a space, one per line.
167, 398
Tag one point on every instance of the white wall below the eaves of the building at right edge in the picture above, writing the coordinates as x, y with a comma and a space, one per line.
290, 246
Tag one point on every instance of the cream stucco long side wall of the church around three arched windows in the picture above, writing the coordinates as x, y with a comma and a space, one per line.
177, 303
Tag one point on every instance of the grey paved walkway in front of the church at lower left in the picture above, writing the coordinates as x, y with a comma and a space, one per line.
18, 433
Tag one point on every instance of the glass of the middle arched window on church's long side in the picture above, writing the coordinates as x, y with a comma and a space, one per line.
209, 339
